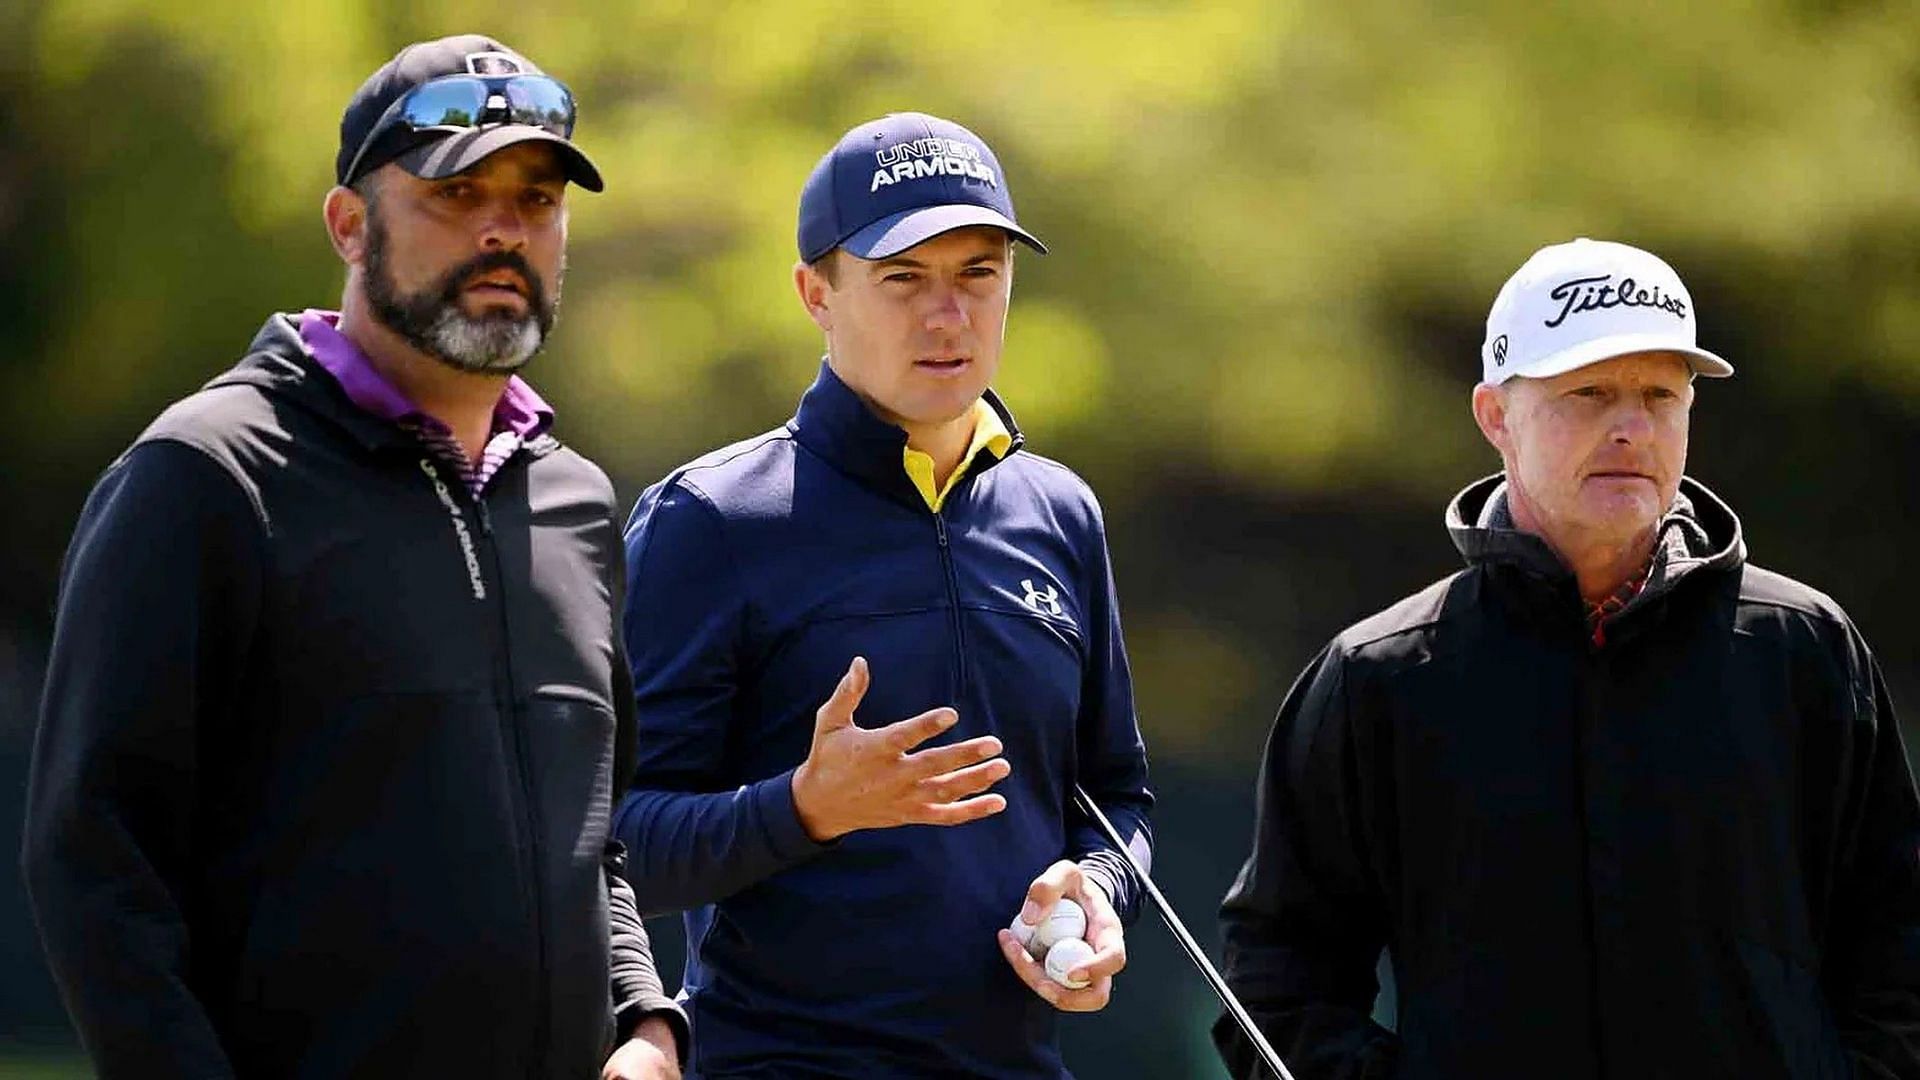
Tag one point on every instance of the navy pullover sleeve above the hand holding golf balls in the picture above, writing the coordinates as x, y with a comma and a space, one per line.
1111, 752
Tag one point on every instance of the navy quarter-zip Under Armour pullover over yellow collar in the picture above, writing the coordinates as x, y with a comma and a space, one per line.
756, 576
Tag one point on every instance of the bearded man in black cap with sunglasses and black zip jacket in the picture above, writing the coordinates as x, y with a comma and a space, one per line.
335, 702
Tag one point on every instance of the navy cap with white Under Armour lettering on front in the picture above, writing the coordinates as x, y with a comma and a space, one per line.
903, 180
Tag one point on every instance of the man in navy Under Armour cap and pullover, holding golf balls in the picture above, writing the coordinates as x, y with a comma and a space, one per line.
873, 654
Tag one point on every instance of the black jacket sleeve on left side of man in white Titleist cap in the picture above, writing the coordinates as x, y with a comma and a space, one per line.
1305, 921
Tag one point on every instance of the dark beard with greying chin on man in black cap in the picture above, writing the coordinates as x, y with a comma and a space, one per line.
433, 320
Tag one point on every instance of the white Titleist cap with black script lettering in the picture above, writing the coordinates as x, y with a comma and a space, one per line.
1589, 301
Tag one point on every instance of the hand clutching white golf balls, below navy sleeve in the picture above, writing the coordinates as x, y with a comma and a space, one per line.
1067, 943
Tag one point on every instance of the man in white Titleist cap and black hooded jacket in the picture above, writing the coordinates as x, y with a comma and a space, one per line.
1614, 800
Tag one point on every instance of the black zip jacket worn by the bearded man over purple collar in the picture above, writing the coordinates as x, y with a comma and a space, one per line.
322, 785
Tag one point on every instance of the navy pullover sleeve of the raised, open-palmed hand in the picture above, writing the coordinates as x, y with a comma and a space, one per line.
690, 841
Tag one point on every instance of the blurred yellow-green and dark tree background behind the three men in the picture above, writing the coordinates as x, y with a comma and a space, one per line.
1276, 228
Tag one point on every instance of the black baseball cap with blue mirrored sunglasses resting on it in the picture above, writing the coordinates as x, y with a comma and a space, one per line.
439, 155
